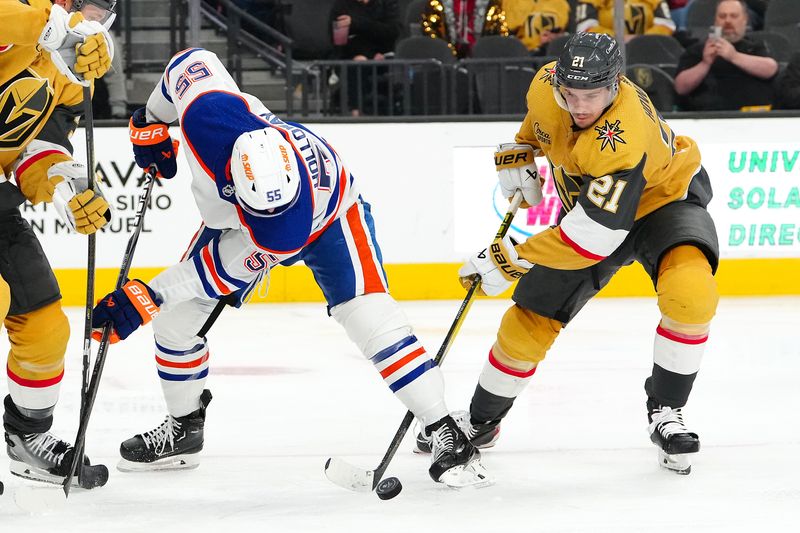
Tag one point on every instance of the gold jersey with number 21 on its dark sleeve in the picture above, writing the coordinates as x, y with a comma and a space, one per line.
623, 167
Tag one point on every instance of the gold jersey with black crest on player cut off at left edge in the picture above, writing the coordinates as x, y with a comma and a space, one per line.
30, 84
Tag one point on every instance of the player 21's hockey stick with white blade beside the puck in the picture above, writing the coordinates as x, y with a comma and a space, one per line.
357, 479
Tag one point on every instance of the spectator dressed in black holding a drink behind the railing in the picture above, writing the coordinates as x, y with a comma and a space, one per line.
362, 30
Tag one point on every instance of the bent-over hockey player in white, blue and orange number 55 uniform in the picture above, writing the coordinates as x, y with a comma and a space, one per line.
270, 193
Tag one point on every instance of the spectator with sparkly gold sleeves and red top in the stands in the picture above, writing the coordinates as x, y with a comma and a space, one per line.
461, 22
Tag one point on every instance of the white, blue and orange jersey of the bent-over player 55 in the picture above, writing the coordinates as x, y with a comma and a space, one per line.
196, 90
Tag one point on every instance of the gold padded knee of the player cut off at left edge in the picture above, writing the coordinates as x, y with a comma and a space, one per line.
34, 353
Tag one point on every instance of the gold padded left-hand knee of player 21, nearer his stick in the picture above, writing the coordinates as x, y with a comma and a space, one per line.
524, 337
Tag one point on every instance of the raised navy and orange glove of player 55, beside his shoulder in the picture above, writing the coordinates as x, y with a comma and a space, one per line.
152, 145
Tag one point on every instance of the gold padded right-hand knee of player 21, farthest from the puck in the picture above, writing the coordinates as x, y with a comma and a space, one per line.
687, 290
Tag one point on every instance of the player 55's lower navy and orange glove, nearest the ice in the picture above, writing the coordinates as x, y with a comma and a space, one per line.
125, 309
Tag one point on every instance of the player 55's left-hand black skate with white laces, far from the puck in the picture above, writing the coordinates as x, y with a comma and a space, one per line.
174, 445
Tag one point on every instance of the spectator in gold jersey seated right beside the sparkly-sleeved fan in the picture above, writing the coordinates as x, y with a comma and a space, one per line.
536, 22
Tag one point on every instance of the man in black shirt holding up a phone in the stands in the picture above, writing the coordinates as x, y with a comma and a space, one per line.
729, 71
